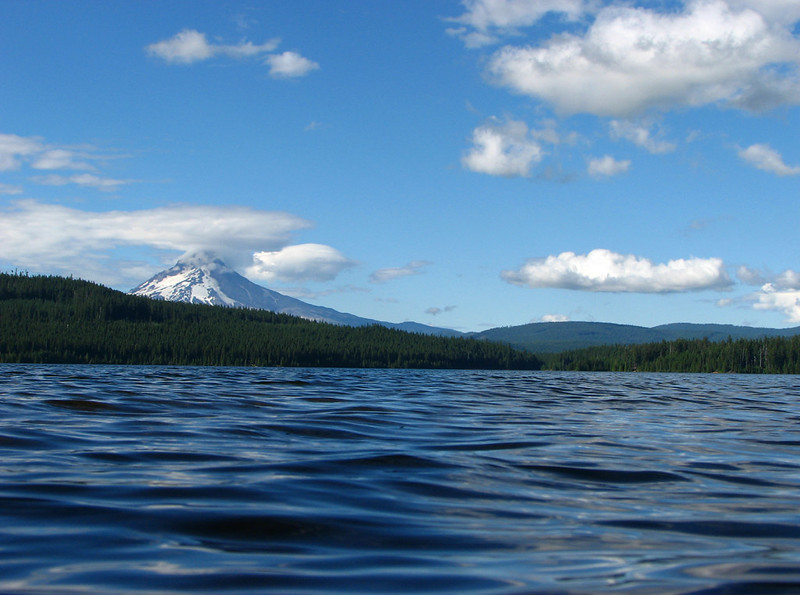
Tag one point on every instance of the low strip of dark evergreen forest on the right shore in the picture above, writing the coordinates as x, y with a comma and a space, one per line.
767, 355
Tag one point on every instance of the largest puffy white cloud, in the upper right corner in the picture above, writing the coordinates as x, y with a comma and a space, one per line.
631, 59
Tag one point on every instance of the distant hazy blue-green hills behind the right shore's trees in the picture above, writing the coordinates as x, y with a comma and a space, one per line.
554, 337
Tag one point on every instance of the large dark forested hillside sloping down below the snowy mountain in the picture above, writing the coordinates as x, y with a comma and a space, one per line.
57, 320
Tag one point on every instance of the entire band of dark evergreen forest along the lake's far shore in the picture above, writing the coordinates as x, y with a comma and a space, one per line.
48, 319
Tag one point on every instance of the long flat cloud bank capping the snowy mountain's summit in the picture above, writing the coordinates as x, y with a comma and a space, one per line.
58, 239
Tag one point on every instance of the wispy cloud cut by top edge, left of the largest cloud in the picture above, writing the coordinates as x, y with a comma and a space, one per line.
484, 20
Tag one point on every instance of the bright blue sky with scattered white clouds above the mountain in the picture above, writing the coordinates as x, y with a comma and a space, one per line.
464, 164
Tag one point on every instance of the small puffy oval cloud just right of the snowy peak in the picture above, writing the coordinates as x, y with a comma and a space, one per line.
302, 262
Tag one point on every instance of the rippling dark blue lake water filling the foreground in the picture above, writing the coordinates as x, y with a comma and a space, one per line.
168, 479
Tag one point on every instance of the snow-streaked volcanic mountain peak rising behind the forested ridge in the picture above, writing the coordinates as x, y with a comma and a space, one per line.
203, 279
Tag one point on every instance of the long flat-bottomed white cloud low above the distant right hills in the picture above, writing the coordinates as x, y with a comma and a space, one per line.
603, 270
